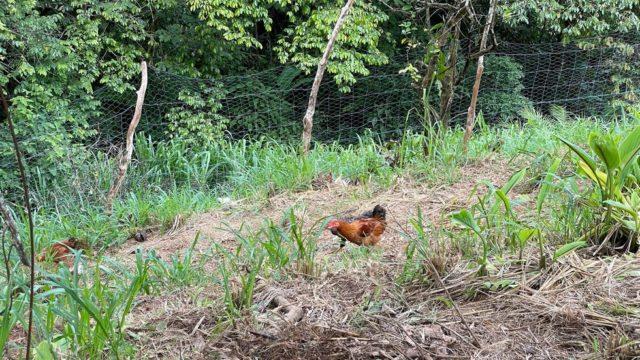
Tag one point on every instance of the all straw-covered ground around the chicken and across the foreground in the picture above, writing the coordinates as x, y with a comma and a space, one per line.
582, 307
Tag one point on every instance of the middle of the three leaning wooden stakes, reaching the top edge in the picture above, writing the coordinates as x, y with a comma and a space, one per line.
313, 97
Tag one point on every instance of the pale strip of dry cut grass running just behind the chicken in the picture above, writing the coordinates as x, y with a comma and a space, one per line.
401, 200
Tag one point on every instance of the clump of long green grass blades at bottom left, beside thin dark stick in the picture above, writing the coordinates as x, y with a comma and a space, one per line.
93, 308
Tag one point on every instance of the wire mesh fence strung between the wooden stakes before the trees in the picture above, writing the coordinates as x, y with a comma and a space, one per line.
272, 103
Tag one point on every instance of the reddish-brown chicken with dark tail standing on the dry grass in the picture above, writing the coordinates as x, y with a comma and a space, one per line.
365, 229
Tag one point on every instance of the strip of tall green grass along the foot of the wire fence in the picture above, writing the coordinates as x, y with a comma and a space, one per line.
170, 179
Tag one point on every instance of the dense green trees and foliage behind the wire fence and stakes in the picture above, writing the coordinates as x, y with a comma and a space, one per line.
63, 63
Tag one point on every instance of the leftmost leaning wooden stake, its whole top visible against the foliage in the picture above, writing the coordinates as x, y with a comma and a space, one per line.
125, 159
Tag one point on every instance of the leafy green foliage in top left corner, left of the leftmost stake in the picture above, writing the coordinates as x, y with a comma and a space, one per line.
52, 62
